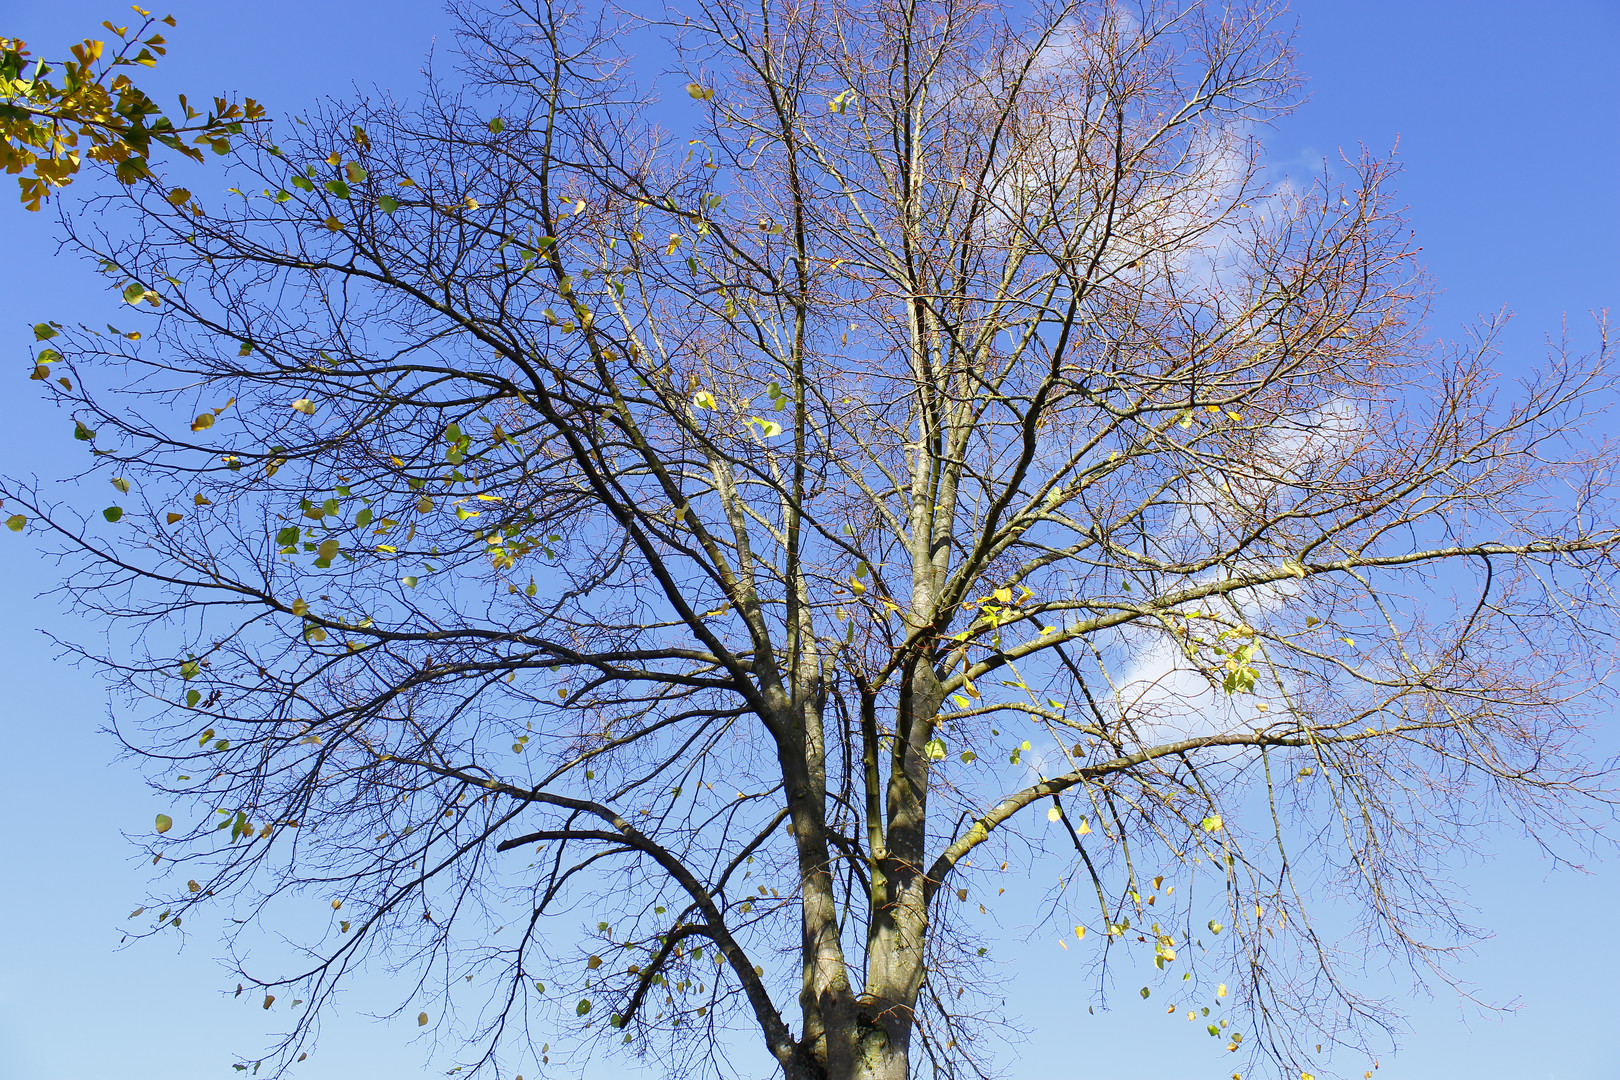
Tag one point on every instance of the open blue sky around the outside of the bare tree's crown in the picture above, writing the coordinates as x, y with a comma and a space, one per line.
1507, 127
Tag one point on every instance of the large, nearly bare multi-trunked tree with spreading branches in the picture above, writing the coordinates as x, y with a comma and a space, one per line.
743, 524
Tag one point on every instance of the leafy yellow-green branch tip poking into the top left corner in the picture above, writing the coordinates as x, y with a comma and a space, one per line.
98, 114
